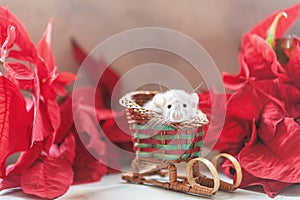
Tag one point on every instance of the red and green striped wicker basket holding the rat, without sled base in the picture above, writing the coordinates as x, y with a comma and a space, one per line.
174, 142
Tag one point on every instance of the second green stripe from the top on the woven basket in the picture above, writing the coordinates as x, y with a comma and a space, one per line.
166, 137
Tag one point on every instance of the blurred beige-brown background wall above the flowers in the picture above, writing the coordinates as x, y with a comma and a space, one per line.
216, 24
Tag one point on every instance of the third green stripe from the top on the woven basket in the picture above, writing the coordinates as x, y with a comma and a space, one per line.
168, 146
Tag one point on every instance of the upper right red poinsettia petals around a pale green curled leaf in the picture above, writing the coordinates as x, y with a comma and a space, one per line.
258, 60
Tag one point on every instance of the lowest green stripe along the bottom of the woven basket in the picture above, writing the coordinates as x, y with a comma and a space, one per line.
166, 156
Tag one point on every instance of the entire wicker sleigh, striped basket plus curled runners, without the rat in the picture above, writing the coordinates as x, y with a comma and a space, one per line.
163, 146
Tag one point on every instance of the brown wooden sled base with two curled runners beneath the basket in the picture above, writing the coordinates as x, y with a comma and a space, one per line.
193, 182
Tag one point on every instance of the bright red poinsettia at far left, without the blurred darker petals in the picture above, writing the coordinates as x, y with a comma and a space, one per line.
30, 122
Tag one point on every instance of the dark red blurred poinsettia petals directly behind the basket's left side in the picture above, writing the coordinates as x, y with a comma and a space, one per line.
105, 87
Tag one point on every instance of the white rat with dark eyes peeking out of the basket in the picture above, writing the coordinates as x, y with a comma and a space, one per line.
176, 106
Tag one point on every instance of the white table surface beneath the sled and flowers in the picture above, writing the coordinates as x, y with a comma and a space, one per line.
113, 187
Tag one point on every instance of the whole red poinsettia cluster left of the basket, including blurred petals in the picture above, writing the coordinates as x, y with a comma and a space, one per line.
37, 117
